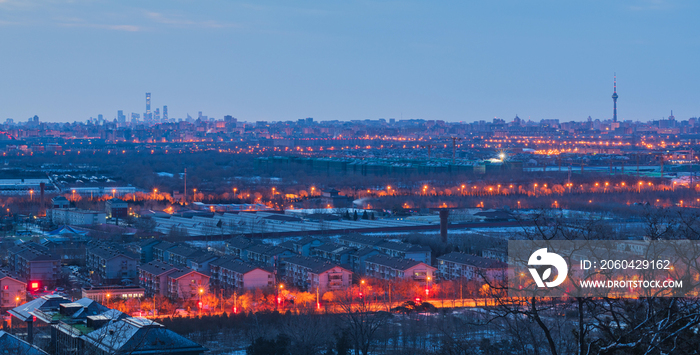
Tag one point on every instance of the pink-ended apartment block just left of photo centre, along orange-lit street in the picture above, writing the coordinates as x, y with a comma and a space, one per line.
316, 274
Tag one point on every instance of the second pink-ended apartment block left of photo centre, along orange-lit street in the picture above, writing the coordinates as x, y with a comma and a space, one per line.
234, 274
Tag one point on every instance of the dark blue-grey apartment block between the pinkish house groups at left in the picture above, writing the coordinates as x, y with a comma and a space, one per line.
111, 264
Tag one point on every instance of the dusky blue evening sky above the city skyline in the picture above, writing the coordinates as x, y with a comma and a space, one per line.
348, 60
